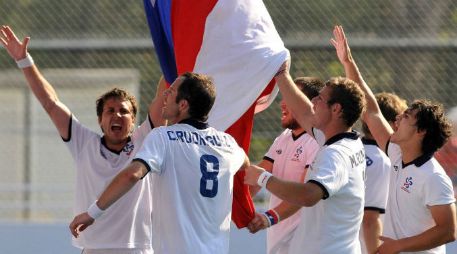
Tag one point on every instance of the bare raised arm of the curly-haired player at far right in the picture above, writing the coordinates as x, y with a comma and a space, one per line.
378, 125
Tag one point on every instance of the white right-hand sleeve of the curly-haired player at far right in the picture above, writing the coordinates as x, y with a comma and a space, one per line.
438, 190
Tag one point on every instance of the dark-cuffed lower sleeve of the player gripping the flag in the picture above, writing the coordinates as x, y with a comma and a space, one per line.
328, 171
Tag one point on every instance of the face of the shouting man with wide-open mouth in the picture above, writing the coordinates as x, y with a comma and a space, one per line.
117, 121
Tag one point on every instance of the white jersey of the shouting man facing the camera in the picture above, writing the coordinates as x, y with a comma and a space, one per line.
121, 226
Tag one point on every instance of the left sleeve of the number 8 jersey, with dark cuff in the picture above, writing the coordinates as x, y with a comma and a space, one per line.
153, 150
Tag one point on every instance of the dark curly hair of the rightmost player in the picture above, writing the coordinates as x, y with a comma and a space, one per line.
430, 117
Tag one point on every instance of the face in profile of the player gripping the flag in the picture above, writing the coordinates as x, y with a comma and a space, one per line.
322, 110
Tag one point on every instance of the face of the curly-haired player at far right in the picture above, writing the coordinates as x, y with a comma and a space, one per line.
405, 127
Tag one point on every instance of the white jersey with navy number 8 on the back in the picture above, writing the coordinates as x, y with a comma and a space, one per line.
193, 167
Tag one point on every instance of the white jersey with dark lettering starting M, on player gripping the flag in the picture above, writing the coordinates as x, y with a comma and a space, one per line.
332, 225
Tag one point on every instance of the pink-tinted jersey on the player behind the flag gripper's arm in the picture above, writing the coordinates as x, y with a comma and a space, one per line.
290, 157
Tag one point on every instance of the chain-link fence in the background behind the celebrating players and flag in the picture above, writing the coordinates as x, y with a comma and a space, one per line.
402, 46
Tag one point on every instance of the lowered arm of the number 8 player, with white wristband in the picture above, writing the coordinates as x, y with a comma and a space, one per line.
120, 185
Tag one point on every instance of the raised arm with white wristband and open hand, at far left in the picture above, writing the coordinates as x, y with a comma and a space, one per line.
43, 91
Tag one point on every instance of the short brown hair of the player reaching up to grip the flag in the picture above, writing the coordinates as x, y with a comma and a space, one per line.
349, 95
